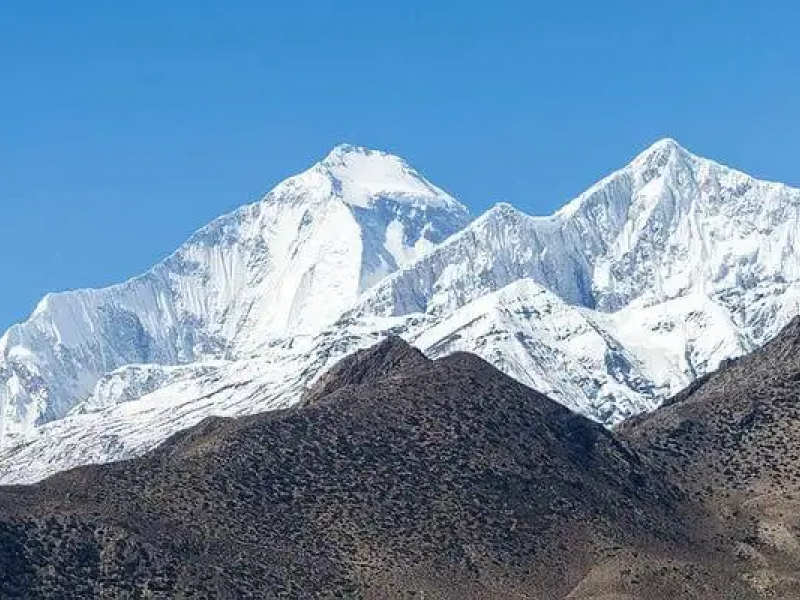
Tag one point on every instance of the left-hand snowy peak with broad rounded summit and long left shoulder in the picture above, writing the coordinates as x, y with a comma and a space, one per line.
289, 263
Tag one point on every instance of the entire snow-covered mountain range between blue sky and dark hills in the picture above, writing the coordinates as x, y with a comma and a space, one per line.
644, 282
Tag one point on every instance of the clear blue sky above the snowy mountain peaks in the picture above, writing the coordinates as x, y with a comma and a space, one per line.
124, 126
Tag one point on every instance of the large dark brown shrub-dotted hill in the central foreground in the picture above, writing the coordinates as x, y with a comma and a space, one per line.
400, 476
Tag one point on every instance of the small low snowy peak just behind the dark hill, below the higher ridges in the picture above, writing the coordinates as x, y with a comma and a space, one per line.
561, 350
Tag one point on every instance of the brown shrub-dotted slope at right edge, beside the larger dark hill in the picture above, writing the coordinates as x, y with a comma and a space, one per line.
731, 441
